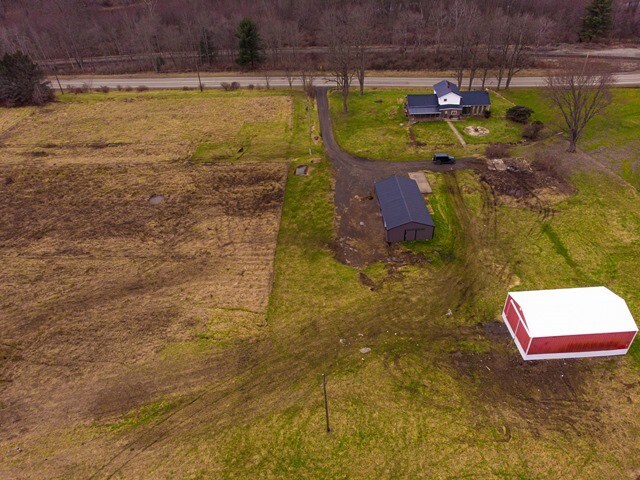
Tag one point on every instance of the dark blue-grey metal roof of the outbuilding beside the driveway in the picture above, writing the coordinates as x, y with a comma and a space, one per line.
401, 202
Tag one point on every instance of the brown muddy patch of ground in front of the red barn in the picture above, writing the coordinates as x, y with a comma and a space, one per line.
540, 396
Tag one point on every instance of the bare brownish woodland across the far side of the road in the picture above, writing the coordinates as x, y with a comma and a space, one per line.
117, 36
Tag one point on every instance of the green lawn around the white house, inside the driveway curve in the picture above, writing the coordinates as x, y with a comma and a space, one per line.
376, 127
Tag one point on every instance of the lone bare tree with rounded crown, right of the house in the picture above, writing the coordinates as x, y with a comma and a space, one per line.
579, 93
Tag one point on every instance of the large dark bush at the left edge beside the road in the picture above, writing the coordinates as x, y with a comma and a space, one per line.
22, 82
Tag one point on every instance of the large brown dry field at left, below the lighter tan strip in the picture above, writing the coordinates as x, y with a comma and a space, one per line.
99, 290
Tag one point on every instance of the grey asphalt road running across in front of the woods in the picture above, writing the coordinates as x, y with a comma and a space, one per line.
168, 82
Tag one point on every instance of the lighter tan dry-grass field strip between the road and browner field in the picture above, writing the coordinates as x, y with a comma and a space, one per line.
130, 129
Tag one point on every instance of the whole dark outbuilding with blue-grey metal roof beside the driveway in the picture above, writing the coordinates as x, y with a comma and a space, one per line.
404, 212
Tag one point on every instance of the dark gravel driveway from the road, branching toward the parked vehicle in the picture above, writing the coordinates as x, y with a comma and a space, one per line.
360, 234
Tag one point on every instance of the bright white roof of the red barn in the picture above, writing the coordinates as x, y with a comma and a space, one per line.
574, 311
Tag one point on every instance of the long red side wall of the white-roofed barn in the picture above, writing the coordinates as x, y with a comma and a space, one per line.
581, 343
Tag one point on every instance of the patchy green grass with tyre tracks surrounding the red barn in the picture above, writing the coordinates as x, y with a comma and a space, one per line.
432, 399
